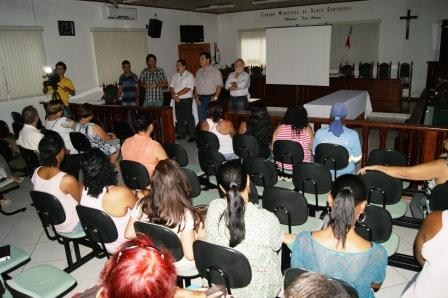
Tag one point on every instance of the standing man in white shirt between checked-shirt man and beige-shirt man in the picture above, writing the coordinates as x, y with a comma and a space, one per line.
181, 89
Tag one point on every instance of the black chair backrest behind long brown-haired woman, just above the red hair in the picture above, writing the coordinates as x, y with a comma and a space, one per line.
162, 237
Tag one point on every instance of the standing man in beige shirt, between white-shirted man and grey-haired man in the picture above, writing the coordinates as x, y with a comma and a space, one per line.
208, 84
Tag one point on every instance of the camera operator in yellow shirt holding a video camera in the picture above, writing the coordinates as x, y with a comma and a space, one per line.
64, 87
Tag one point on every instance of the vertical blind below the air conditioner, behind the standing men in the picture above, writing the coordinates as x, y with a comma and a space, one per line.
112, 46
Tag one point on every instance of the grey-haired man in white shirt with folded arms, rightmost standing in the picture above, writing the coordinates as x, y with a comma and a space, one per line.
238, 83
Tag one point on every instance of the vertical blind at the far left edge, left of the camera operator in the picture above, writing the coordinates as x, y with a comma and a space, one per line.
22, 58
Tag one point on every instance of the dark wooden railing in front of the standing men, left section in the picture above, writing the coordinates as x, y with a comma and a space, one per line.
109, 114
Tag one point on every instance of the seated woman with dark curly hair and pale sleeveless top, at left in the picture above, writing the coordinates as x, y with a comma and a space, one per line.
101, 192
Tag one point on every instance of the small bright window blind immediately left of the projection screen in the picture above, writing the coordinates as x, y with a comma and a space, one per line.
253, 47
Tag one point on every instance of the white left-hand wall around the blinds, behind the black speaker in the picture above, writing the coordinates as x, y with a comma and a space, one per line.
78, 52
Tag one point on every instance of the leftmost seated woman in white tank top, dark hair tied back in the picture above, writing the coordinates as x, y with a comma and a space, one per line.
50, 179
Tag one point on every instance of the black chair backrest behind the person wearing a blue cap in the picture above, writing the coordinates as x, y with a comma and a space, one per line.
334, 157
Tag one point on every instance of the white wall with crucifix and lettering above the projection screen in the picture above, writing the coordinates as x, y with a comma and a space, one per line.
422, 45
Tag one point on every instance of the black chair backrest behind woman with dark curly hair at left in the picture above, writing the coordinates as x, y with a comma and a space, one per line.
97, 225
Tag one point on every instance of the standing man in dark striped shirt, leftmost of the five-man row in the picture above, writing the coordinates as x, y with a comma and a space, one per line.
128, 85
